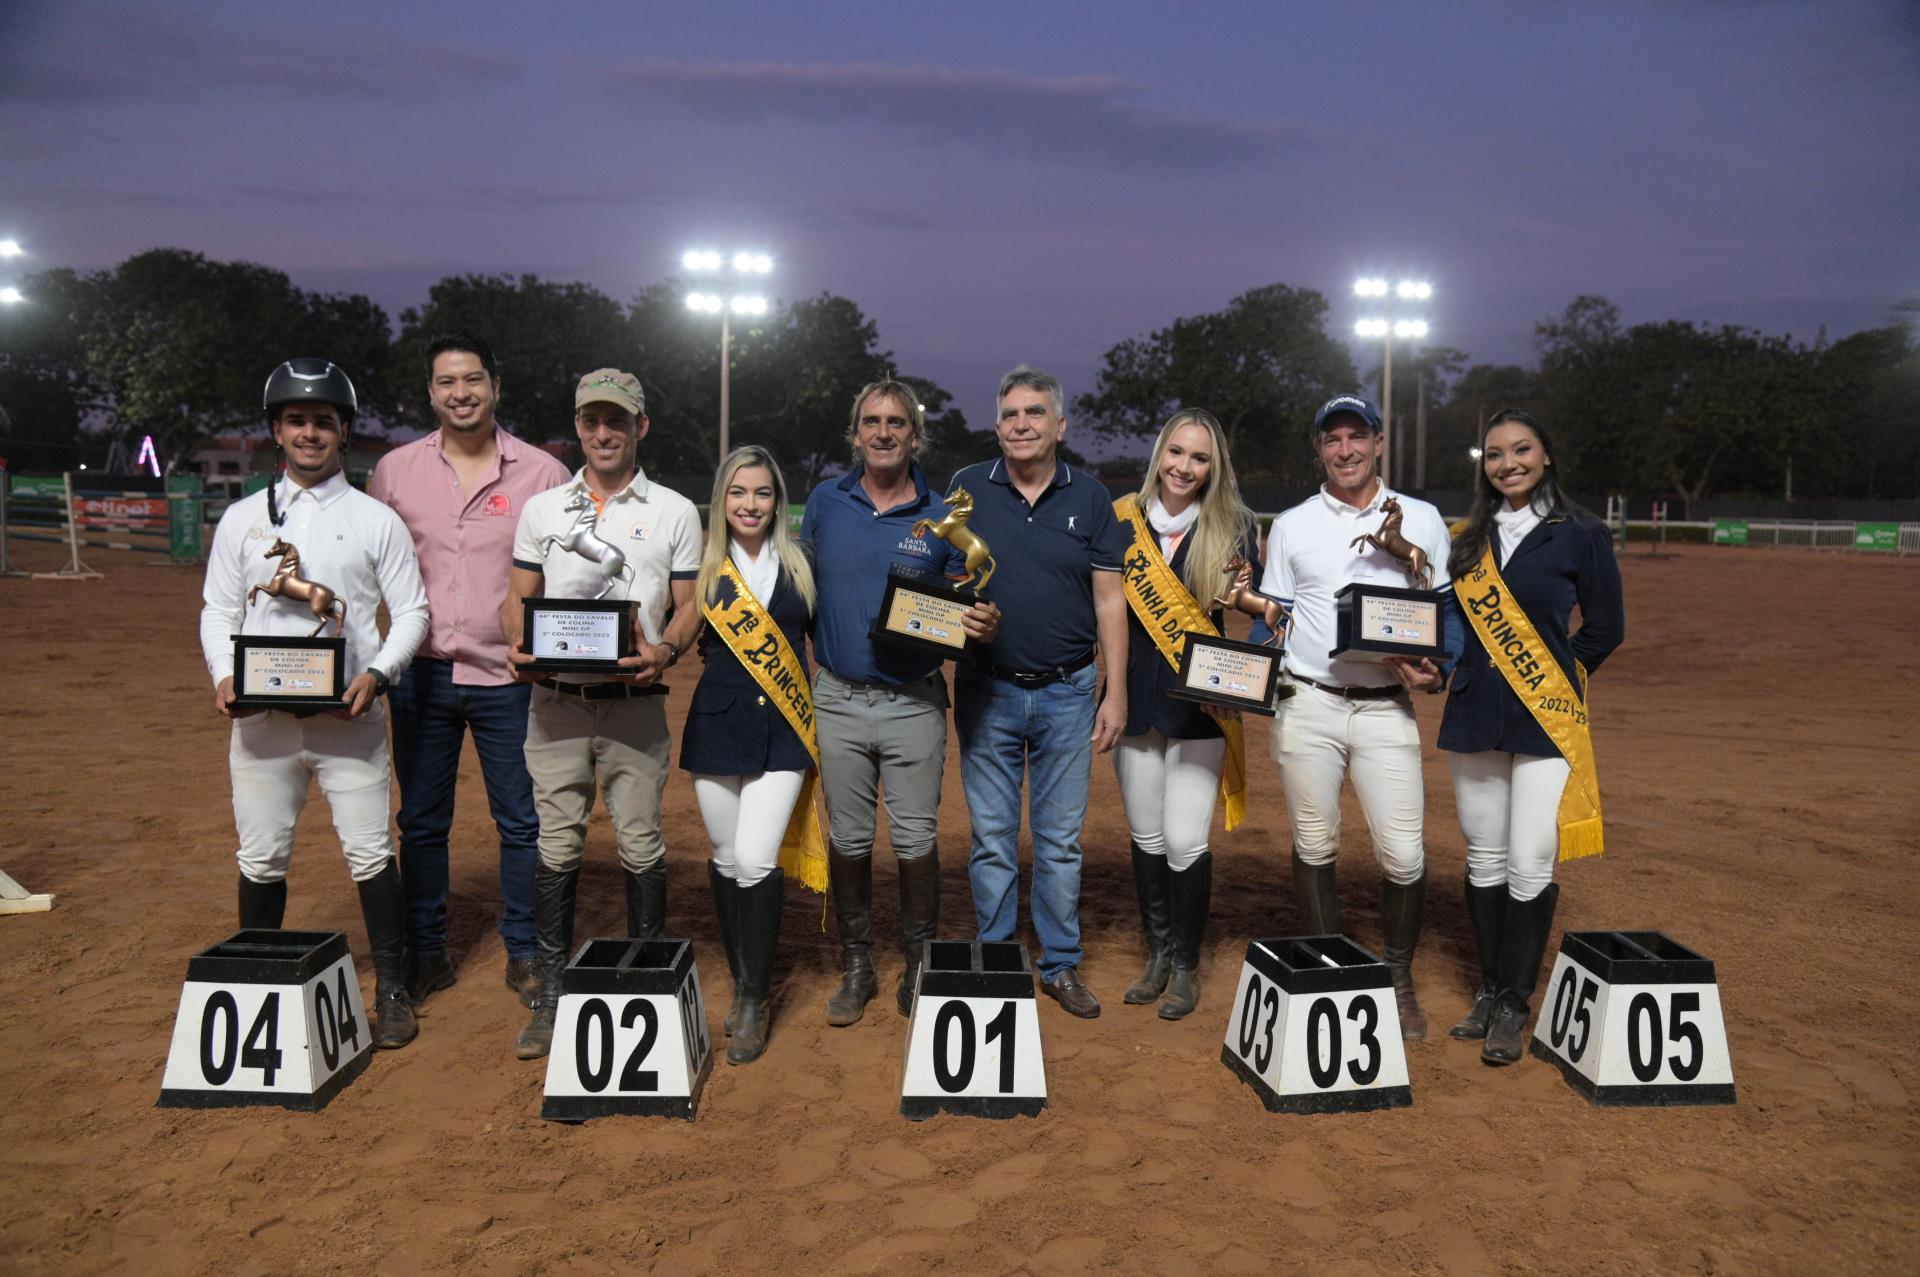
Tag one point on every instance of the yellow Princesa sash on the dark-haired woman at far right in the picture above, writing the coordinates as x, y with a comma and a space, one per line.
1516, 650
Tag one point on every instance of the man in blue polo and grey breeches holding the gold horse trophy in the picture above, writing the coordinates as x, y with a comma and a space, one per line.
880, 711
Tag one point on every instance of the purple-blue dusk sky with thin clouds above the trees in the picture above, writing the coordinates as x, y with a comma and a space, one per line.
1001, 183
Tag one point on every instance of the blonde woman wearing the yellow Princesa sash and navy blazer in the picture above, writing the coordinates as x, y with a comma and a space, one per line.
750, 738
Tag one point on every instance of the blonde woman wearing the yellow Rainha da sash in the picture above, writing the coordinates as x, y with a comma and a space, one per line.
1178, 758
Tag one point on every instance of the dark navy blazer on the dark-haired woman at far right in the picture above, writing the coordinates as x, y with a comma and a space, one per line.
1562, 562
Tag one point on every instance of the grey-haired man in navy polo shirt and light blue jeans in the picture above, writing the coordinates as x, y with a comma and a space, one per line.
1032, 708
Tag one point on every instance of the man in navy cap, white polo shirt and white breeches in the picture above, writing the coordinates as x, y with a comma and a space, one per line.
1353, 715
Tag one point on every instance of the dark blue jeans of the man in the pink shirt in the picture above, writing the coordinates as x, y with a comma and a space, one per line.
431, 721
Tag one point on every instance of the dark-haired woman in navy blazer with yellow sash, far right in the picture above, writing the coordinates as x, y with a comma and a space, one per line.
1516, 719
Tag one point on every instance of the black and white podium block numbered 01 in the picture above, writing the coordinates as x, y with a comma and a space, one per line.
974, 1046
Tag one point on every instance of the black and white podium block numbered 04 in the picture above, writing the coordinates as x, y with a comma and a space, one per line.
268, 1019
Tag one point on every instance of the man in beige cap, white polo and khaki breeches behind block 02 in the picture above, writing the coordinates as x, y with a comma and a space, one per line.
585, 733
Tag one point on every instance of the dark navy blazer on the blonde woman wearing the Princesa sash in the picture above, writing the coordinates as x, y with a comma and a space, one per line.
732, 727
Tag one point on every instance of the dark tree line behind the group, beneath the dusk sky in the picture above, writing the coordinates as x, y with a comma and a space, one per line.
176, 345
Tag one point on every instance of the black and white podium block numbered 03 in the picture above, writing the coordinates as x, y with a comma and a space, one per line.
1316, 1030
